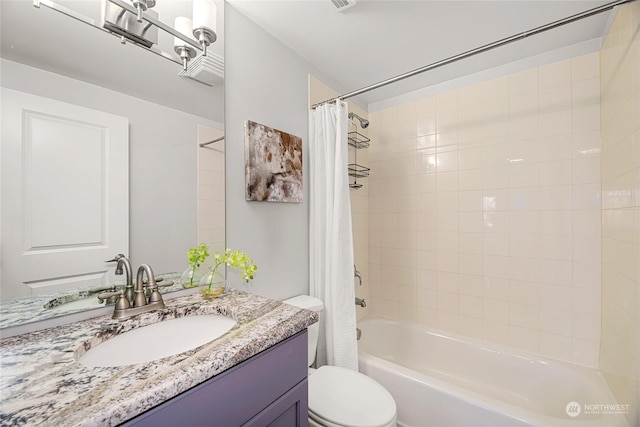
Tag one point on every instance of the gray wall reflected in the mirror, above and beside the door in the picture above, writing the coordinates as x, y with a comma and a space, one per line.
163, 165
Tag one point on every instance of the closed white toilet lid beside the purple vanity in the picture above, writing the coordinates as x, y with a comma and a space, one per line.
348, 398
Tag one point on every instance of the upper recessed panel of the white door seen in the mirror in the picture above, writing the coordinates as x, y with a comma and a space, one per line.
64, 200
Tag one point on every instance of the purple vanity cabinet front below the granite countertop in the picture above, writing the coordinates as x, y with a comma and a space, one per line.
269, 389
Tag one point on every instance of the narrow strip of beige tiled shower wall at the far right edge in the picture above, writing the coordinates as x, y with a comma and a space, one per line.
620, 352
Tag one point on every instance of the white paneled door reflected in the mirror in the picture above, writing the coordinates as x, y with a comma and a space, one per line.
64, 194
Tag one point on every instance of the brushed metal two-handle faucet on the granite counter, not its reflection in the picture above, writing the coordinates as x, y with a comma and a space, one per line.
124, 309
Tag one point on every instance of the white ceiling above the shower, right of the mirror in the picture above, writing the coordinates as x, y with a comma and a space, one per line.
375, 39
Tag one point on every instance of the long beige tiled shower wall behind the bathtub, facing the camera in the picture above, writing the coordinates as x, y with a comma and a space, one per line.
484, 210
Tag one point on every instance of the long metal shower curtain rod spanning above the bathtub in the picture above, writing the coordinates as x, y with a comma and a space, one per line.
481, 49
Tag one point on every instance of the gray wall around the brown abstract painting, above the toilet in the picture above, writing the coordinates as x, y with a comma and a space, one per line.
265, 82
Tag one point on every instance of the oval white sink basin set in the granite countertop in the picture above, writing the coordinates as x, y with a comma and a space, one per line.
157, 340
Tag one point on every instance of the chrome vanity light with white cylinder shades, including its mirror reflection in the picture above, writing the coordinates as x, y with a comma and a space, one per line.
135, 21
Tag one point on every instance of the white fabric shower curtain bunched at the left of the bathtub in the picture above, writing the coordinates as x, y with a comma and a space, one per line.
331, 239
